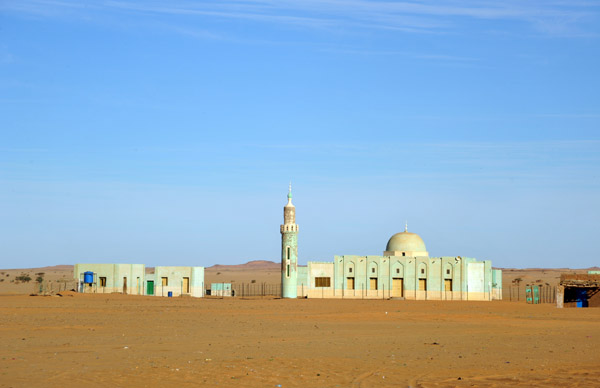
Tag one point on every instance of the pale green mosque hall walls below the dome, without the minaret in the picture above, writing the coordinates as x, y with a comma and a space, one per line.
407, 277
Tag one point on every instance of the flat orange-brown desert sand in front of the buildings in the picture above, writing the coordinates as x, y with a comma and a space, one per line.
120, 340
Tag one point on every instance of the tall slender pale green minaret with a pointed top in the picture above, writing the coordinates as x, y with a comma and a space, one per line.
289, 250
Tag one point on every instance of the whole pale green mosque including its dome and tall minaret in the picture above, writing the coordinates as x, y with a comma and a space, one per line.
404, 271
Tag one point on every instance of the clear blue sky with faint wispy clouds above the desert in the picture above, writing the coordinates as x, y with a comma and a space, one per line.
166, 132
